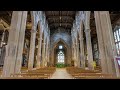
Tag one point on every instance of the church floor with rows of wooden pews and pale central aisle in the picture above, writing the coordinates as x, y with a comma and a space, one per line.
60, 73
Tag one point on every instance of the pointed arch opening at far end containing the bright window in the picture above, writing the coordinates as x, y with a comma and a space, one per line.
60, 53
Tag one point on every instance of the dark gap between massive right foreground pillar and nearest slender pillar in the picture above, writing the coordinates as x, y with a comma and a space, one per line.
94, 42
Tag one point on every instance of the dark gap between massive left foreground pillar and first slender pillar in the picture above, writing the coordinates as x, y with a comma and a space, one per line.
26, 47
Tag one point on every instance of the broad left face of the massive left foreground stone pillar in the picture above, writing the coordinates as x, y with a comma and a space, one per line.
12, 47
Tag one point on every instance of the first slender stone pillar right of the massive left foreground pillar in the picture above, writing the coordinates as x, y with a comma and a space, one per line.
32, 49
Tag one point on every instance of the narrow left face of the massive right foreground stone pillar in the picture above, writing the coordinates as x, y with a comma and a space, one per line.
102, 56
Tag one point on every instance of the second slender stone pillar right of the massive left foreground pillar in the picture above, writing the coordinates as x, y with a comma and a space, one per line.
39, 51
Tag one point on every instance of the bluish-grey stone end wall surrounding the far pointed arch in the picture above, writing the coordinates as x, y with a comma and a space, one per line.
65, 38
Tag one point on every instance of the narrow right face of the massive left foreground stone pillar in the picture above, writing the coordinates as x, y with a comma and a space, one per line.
21, 43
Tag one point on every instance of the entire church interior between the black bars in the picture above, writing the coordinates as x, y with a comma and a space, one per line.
74, 44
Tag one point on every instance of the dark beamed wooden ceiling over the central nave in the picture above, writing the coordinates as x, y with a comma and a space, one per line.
60, 19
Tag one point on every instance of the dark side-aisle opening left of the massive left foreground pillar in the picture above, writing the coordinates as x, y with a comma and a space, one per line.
4, 34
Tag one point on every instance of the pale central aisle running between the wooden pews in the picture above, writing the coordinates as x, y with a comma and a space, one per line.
61, 73
